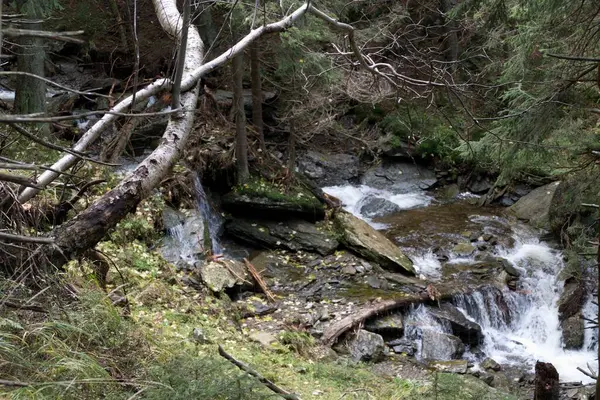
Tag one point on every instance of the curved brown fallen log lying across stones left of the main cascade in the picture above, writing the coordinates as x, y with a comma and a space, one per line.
336, 329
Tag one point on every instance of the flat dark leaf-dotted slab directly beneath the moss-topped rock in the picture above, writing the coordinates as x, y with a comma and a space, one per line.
292, 235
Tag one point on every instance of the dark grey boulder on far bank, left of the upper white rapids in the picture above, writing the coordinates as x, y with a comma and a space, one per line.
329, 169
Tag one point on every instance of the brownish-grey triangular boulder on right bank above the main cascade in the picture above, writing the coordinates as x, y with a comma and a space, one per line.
535, 206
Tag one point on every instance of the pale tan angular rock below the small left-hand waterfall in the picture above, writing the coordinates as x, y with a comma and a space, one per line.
225, 274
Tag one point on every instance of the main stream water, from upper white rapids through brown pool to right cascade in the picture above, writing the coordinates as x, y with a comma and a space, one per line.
520, 327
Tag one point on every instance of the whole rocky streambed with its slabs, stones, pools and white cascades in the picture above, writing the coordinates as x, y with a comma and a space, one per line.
411, 277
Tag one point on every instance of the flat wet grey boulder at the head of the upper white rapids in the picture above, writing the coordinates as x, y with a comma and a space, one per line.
399, 178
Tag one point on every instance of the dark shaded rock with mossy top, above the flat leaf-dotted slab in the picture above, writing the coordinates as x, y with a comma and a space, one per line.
305, 207
